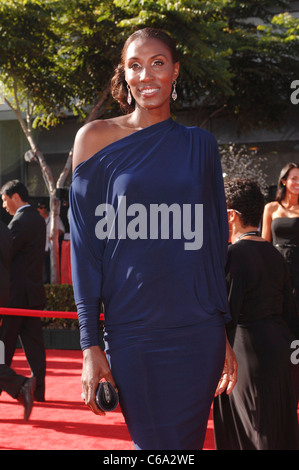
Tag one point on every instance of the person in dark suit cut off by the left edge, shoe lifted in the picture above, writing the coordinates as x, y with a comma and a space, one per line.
17, 386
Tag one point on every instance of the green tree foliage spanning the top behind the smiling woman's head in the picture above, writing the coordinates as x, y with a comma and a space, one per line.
236, 57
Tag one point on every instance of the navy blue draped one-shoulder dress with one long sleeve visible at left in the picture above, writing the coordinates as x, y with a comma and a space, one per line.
165, 305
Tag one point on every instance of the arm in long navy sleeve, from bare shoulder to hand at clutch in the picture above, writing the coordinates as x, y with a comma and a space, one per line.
87, 253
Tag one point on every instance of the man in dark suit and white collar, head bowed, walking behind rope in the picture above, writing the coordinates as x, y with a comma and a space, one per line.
28, 229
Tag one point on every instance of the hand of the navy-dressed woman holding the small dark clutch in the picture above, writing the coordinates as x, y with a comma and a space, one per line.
95, 368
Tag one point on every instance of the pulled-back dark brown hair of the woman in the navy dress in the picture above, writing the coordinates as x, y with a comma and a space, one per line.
119, 89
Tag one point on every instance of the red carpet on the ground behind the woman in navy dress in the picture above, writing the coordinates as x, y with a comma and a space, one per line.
63, 422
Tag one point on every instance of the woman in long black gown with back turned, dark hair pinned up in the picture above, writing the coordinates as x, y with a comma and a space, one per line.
261, 412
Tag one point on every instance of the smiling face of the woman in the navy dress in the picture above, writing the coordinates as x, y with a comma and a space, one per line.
150, 72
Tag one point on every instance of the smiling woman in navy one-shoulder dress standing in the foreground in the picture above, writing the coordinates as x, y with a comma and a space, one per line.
149, 239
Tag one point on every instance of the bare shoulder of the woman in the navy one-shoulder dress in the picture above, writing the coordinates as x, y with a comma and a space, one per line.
94, 136
